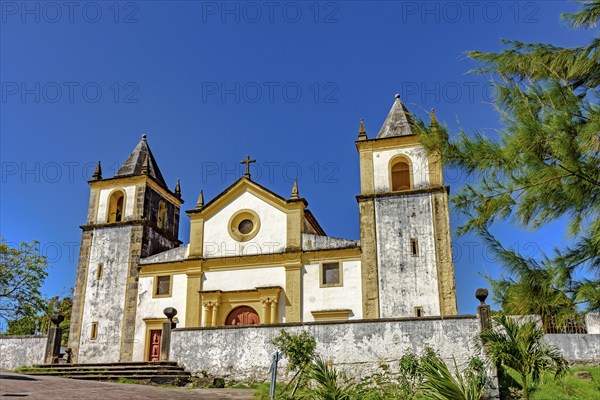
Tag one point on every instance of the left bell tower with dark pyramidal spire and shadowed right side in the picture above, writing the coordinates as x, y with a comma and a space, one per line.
130, 216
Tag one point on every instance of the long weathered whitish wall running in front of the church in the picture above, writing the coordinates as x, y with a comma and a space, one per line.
244, 353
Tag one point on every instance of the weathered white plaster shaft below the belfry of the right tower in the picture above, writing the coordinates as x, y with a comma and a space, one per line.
406, 281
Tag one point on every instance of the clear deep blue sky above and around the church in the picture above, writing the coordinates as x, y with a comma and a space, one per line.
209, 82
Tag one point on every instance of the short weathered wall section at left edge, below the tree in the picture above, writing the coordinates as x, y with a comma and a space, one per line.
17, 351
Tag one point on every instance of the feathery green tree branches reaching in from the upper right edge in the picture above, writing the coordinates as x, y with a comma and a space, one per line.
544, 164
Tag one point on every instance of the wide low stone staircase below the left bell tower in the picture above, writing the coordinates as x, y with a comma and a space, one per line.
160, 373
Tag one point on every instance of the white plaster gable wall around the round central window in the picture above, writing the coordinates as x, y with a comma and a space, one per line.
271, 238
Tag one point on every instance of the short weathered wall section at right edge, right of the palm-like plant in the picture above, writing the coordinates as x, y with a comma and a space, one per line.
576, 348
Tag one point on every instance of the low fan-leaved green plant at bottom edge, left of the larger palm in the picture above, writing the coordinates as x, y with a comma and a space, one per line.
442, 385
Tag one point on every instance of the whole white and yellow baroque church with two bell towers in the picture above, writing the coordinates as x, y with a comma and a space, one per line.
256, 257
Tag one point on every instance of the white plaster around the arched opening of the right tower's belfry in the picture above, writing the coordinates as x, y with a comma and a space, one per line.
381, 167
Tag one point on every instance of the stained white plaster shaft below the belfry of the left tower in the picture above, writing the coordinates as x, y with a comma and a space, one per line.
105, 298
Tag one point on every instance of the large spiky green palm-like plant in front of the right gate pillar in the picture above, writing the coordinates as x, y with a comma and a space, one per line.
521, 347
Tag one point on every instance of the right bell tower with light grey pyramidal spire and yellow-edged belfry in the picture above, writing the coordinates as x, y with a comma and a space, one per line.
407, 268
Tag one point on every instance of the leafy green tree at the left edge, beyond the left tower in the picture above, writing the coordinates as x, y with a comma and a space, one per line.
22, 272
